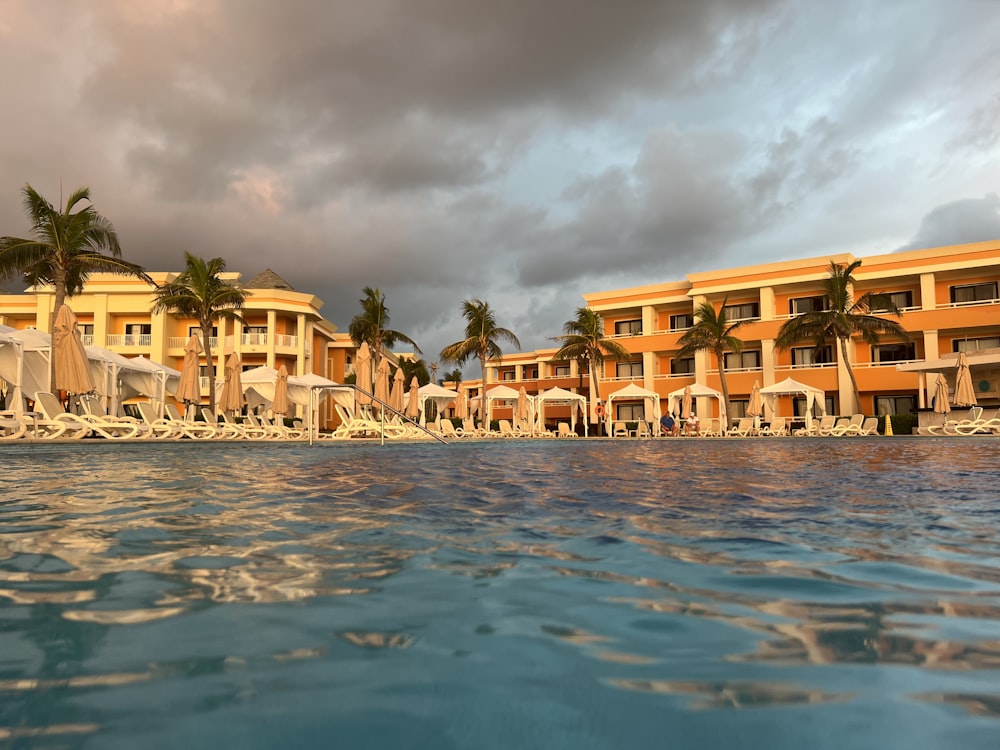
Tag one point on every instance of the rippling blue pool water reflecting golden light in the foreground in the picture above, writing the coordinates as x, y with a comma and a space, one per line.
554, 594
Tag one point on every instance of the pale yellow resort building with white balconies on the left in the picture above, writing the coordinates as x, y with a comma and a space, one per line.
281, 326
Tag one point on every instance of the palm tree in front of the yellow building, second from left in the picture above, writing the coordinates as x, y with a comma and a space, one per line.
199, 292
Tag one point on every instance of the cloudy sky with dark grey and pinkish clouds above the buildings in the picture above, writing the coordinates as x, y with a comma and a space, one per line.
523, 152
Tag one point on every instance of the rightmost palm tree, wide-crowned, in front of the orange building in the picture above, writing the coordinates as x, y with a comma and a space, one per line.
844, 318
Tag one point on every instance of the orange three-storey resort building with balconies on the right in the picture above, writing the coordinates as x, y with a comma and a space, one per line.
948, 297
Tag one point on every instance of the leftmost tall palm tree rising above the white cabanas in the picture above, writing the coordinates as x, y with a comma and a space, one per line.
66, 247
